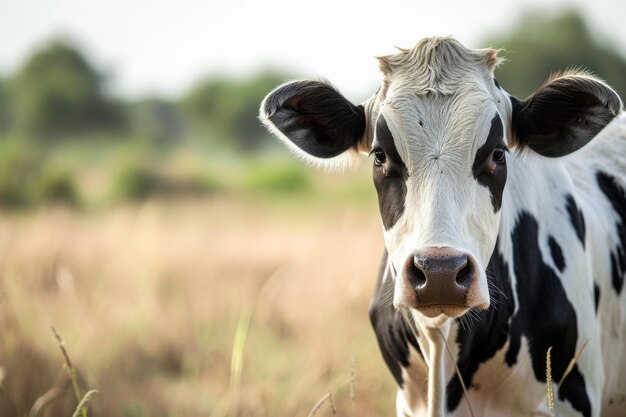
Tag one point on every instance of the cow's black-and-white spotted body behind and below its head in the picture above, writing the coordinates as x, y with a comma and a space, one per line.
556, 283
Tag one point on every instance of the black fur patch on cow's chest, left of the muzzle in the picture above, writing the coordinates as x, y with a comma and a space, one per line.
393, 334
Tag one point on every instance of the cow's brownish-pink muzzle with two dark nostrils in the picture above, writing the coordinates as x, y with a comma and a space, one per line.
438, 281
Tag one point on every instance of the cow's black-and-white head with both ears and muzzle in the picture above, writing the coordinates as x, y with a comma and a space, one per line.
440, 131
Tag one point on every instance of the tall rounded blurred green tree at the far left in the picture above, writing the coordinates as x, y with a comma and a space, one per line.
57, 92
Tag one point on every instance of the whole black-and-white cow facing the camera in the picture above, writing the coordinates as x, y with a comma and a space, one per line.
504, 226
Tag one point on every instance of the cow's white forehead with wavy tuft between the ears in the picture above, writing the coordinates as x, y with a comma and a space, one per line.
437, 94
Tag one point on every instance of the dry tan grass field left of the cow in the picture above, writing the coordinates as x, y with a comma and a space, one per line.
148, 299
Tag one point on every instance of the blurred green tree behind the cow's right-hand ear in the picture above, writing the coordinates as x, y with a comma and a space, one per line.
540, 45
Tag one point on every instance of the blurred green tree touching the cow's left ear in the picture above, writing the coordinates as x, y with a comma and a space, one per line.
229, 108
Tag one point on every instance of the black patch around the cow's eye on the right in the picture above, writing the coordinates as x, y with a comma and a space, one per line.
495, 180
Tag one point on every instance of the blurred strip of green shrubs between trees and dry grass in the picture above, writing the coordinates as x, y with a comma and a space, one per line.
85, 174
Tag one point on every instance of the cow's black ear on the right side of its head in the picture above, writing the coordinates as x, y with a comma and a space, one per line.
564, 114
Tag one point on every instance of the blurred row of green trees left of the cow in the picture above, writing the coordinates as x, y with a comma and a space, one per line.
58, 94
